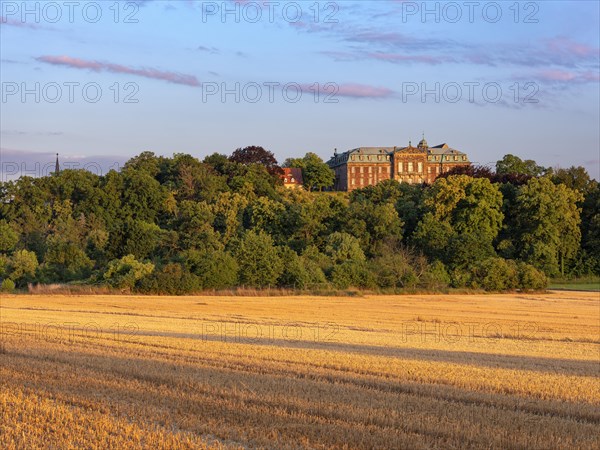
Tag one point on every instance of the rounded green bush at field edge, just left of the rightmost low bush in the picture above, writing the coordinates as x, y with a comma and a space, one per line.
495, 274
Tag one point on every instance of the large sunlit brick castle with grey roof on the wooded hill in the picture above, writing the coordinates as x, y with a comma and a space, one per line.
367, 166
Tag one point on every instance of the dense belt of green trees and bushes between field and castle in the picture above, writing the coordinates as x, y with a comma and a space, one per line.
177, 225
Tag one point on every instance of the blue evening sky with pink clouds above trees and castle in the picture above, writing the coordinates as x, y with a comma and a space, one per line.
99, 82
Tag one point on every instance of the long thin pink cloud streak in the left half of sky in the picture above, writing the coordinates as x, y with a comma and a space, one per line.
96, 66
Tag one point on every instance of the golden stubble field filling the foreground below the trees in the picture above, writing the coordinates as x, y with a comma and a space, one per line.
414, 371
